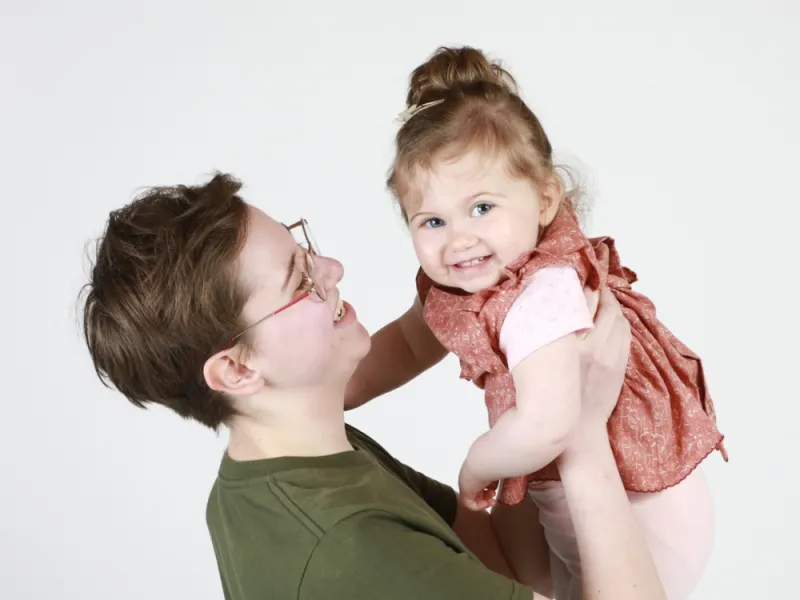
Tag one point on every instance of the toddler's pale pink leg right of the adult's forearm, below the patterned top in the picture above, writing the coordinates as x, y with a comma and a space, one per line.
678, 525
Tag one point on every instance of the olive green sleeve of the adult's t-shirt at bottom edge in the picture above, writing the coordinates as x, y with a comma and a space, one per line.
376, 555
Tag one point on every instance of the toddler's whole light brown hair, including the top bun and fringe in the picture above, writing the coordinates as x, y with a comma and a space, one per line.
458, 101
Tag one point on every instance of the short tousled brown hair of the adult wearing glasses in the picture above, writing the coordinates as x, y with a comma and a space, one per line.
163, 295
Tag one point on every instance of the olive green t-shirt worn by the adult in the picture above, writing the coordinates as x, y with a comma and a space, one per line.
357, 525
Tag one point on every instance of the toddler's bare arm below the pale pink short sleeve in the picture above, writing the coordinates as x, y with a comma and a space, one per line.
534, 432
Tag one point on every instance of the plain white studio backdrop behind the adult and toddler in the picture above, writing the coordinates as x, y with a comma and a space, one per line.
685, 113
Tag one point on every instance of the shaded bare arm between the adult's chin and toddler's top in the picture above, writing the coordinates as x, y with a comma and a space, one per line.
400, 351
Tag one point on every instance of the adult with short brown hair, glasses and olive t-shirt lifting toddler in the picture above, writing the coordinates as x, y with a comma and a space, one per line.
206, 305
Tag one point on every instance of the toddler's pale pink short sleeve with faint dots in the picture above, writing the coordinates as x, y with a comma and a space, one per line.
551, 306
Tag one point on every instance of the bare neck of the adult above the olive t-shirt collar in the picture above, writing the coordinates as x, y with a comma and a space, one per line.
307, 423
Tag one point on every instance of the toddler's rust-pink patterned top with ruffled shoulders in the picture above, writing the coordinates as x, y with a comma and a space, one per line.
664, 424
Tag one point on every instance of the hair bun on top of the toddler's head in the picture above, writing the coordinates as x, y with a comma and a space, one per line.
456, 69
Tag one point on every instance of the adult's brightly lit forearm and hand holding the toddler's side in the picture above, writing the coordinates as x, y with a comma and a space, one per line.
615, 560
